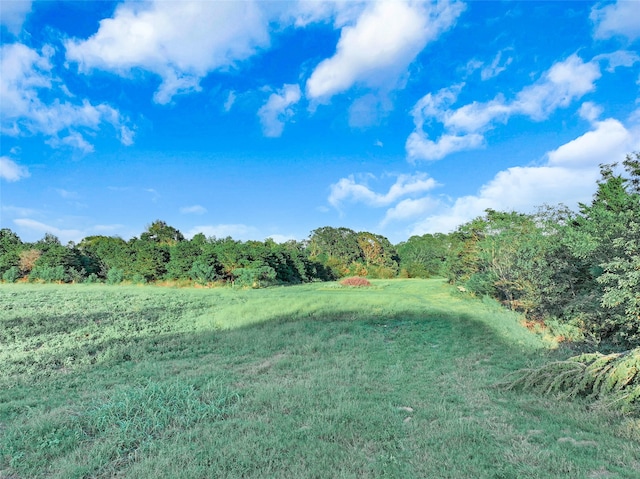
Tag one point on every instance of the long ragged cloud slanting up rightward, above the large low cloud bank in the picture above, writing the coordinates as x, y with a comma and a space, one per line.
464, 127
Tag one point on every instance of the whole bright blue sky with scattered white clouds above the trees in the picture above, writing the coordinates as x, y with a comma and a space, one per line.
257, 119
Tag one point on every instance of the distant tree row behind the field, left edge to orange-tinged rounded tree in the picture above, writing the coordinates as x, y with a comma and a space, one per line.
162, 253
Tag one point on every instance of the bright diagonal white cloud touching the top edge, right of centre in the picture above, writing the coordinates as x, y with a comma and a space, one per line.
378, 49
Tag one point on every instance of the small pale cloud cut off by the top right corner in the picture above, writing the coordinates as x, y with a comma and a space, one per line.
620, 18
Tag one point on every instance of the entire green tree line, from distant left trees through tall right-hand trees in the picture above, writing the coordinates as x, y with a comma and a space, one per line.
579, 269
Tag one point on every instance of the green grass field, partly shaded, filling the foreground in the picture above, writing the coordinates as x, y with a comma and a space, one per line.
312, 381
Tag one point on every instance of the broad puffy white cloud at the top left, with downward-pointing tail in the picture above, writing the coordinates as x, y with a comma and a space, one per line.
179, 41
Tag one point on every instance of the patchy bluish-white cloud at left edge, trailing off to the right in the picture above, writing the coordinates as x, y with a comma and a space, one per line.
26, 73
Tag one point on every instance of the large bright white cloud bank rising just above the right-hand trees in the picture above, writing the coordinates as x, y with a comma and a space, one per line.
569, 176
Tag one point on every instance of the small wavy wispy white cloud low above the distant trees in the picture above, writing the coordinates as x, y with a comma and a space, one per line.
347, 189
